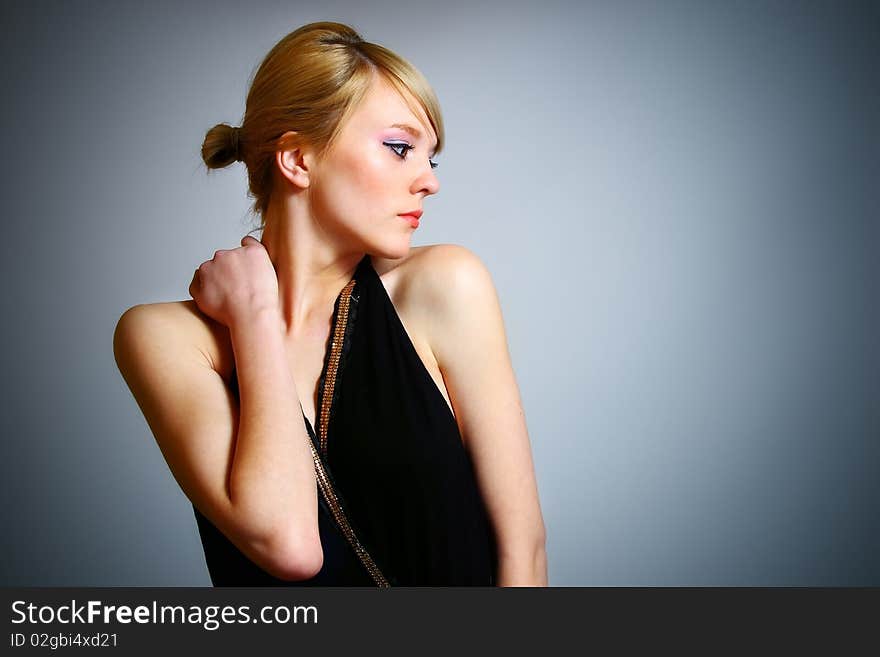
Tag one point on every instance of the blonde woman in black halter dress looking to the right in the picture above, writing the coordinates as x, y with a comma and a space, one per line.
339, 406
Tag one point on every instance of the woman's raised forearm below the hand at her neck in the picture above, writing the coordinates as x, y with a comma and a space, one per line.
272, 479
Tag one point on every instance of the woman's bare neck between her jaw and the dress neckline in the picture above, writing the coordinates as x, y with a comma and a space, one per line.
311, 269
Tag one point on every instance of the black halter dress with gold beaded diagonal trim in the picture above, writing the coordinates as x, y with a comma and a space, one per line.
399, 500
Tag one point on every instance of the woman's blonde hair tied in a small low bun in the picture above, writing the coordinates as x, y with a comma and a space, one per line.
309, 83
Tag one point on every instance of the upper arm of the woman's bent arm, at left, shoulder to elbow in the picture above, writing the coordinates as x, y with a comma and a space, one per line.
194, 418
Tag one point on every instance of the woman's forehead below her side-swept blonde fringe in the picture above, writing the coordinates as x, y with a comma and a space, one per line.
383, 106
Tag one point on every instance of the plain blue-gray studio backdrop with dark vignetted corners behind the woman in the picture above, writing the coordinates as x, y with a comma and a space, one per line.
677, 202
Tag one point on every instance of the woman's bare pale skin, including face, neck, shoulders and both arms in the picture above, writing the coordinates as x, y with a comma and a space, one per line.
265, 308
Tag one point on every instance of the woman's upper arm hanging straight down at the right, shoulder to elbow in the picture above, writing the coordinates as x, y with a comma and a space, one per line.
467, 336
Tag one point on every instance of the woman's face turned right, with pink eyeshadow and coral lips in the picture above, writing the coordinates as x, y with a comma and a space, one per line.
376, 171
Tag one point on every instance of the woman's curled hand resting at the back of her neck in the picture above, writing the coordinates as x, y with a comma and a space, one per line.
236, 283
